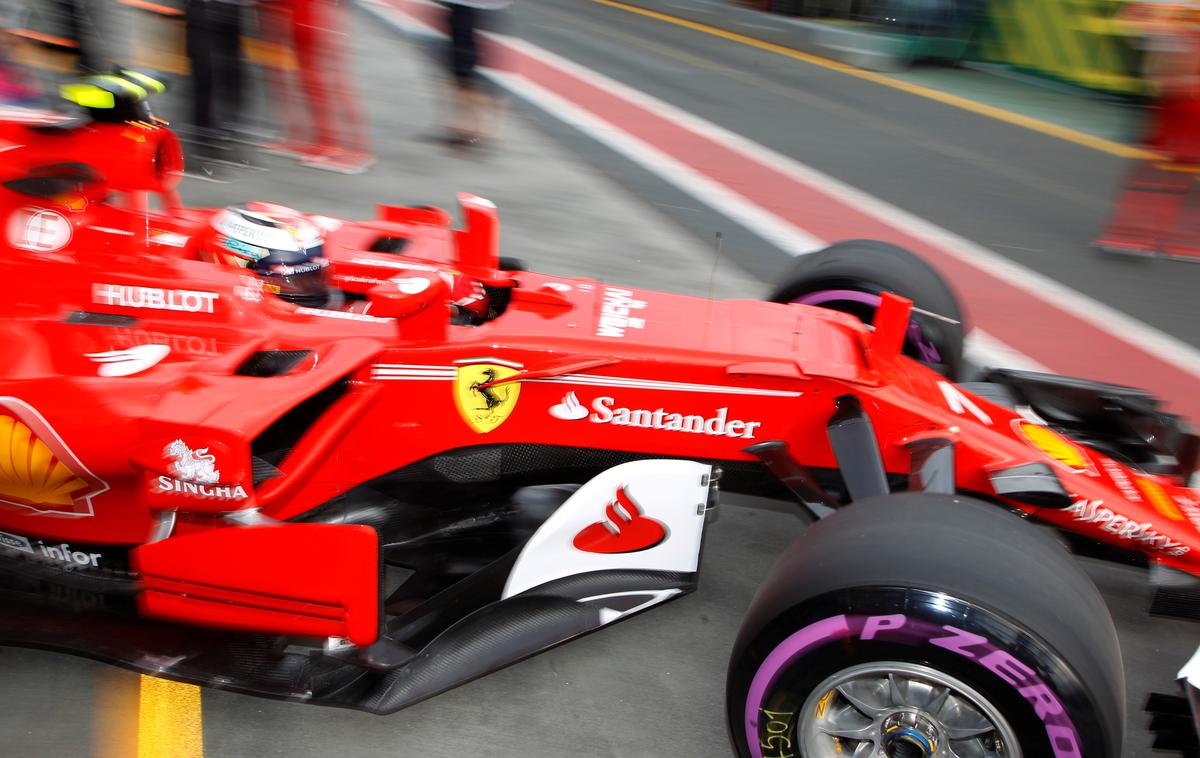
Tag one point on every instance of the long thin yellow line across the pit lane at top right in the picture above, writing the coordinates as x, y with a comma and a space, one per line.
992, 112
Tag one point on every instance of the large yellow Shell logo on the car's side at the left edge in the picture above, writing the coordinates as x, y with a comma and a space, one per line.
38, 471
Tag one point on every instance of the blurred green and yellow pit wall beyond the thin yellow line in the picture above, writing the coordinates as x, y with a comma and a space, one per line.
1078, 43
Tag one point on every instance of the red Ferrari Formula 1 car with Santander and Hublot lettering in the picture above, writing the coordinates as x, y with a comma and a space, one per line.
367, 507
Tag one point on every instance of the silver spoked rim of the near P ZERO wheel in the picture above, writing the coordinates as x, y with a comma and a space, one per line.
902, 711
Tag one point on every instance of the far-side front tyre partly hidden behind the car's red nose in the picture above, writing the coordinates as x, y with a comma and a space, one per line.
871, 268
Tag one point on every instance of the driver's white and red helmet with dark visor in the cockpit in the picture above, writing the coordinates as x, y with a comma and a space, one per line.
284, 248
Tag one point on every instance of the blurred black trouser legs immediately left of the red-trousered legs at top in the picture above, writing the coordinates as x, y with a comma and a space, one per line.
214, 51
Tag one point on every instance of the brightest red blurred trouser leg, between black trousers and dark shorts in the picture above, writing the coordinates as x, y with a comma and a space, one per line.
340, 141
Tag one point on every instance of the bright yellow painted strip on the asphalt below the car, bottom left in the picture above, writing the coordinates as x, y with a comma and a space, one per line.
170, 720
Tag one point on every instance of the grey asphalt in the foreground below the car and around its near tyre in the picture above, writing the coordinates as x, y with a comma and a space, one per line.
649, 687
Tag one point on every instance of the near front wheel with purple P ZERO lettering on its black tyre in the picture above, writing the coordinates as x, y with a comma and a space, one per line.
922, 622
